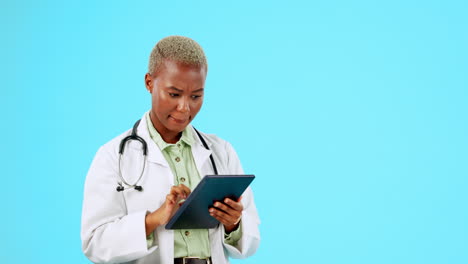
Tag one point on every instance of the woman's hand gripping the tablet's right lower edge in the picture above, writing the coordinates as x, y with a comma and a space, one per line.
228, 213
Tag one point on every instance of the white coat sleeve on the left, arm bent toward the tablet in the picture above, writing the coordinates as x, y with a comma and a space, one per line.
108, 233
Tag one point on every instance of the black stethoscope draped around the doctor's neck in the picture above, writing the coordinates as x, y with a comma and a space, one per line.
134, 136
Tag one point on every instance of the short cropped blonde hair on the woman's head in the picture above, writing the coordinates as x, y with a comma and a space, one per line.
179, 49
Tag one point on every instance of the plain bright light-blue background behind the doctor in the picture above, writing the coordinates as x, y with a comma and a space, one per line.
352, 114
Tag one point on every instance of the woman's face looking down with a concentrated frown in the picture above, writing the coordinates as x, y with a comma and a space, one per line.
177, 95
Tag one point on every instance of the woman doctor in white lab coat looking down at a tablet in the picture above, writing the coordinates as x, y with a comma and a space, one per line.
127, 226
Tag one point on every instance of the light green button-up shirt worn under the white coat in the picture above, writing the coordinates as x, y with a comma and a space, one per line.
187, 242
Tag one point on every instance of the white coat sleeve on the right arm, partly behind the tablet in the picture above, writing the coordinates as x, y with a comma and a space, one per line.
250, 238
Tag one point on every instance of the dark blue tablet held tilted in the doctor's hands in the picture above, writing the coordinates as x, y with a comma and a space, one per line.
193, 214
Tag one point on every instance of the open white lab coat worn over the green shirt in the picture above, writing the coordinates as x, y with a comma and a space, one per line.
113, 223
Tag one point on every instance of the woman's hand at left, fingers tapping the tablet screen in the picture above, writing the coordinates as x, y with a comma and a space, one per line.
167, 209
